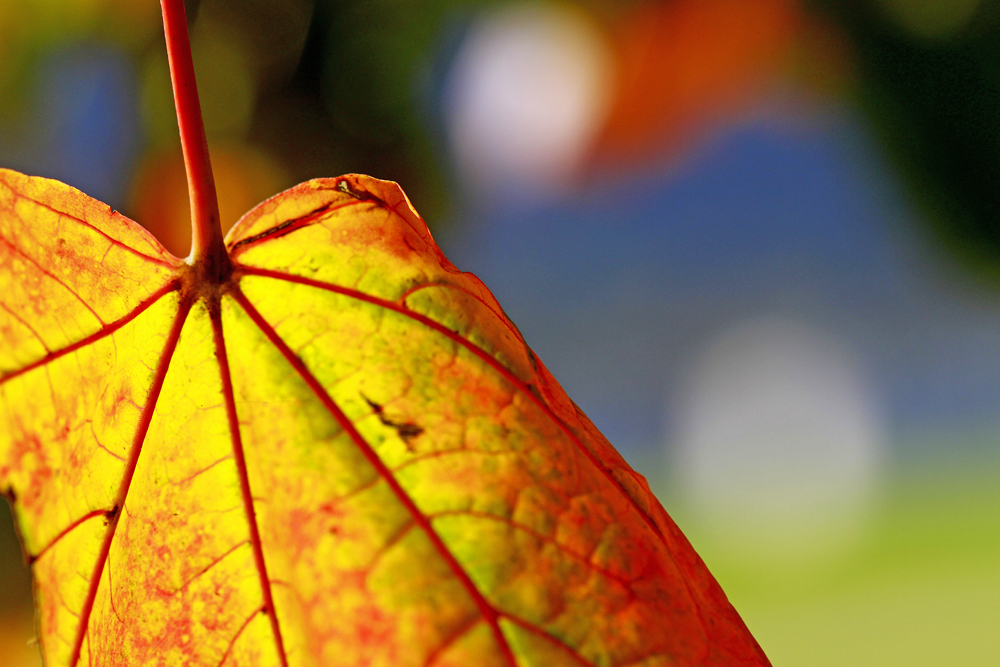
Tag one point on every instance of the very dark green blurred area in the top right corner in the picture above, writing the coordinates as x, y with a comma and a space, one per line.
929, 81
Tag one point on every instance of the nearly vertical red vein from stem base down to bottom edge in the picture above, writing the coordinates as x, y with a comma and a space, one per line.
241, 468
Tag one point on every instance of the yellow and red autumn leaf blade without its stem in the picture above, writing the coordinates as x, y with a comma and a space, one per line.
344, 454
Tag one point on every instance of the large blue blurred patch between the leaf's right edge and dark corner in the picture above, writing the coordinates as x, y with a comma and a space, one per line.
616, 287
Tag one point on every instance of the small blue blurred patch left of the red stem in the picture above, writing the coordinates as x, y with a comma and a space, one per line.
84, 128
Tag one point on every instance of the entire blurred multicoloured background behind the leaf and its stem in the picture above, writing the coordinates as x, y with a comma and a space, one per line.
756, 240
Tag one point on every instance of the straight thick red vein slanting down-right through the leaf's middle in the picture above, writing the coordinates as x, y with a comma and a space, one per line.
486, 610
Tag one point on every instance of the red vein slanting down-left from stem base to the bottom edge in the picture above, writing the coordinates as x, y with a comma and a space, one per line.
140, 435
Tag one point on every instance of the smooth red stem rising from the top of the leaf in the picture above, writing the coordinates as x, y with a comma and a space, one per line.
208, 250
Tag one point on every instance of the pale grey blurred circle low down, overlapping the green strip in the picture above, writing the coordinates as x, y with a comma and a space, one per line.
778, 442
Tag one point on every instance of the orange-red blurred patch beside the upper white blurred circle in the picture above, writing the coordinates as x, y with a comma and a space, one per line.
687, 64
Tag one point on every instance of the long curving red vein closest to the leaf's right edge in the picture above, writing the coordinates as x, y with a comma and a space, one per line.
476, 350
